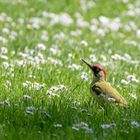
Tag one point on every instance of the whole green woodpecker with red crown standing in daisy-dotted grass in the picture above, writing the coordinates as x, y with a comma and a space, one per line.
101, 89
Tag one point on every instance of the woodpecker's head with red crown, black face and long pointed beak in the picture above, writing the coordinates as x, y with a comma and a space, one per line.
98, 71
